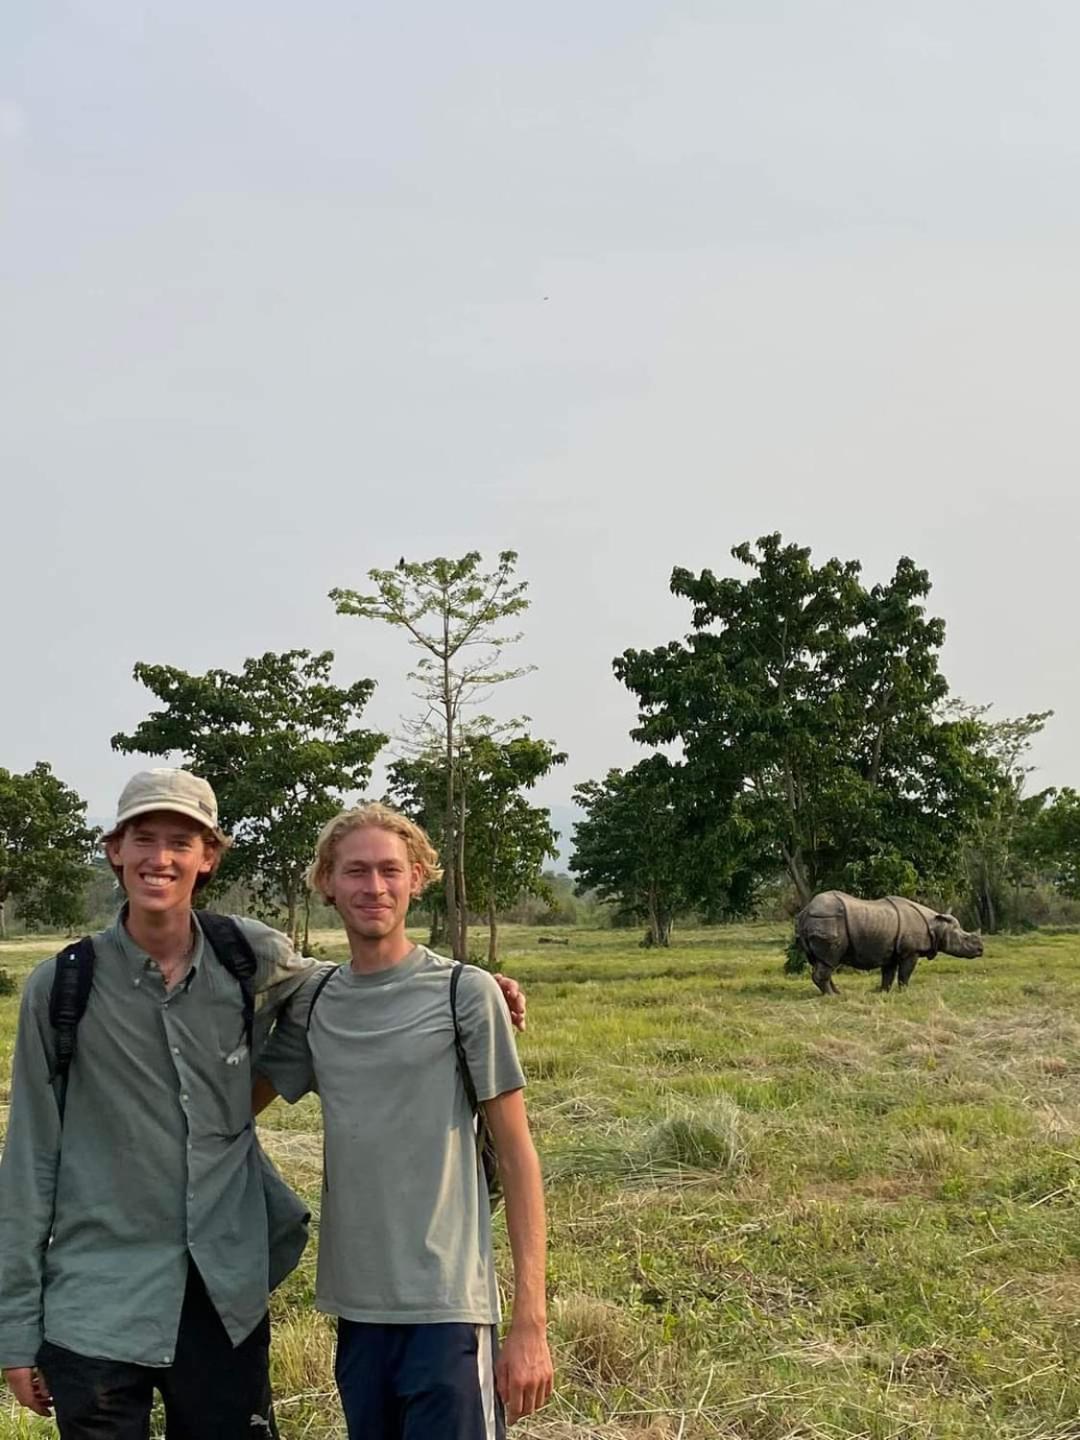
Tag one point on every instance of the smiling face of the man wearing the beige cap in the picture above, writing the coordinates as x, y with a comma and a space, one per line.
161, 859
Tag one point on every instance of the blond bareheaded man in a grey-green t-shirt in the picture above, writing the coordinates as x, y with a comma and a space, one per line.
405, 1236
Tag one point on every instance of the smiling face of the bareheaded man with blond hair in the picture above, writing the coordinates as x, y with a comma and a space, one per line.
372, 883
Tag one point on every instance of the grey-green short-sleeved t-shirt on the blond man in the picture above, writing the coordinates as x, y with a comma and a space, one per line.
405, 1233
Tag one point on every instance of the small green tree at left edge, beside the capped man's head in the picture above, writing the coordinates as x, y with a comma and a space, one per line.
45, 849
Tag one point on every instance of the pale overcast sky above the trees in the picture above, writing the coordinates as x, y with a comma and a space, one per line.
287, 292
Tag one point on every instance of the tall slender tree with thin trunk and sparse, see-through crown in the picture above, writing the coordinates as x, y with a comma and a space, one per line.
453, 613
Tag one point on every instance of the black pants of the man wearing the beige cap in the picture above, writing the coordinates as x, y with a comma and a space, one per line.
211, 1392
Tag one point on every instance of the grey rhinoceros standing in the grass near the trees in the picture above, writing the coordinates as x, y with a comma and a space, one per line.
876, 935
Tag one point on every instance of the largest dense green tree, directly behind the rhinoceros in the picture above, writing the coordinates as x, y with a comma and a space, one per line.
809, 709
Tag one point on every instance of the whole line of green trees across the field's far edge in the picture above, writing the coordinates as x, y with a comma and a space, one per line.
801, 737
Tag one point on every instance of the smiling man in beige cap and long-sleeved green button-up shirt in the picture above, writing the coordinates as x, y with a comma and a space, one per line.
135, 1255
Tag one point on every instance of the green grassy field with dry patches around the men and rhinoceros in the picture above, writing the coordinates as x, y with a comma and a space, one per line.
777, 1216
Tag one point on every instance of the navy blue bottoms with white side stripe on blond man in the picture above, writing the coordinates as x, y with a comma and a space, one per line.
418, 1382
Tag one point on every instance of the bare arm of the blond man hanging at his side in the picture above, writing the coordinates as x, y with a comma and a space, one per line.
523, 1374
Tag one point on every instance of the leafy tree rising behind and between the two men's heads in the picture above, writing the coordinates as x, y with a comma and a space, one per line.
282, 748
